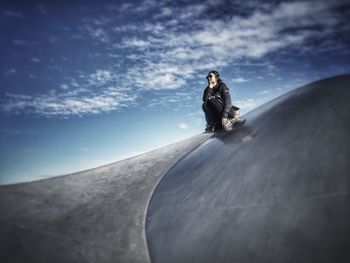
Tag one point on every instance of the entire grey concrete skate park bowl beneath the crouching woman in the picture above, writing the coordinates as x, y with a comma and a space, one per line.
275, 190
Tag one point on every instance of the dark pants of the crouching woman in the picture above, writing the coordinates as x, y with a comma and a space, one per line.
213, 111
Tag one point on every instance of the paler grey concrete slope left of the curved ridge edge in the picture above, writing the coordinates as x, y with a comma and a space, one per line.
92, 216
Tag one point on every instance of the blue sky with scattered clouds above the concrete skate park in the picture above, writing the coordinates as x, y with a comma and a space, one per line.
87, 83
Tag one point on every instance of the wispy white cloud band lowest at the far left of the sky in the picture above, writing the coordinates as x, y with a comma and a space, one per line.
94, 94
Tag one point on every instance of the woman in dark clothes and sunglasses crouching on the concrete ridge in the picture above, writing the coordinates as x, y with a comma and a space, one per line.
217, 105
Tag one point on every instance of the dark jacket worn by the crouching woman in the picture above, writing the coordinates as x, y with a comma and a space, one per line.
220, 92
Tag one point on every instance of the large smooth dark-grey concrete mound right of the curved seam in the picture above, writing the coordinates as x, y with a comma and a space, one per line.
276, 190
